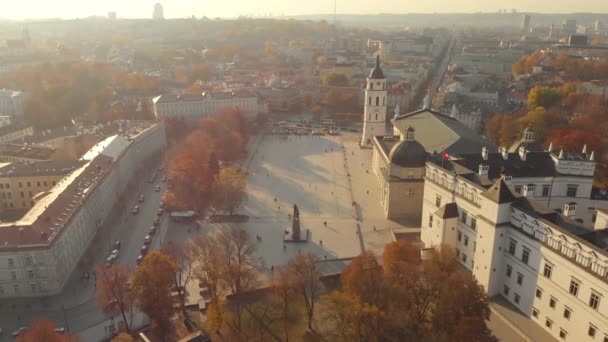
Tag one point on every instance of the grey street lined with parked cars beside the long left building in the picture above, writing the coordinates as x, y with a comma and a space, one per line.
75, 309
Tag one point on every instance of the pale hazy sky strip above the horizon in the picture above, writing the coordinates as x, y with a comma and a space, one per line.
20, 9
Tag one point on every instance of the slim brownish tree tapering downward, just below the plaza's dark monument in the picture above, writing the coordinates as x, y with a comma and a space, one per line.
307, 281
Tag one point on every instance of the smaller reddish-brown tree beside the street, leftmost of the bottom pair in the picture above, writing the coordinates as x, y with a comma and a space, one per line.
112, 294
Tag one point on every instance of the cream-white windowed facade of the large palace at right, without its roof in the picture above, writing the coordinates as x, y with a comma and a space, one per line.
510, 275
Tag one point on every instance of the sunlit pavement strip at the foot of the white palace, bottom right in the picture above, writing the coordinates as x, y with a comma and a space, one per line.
522, 325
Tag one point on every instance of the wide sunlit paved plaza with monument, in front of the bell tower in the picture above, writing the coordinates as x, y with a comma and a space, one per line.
312, 172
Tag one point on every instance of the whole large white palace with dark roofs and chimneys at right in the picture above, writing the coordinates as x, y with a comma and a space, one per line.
551, 267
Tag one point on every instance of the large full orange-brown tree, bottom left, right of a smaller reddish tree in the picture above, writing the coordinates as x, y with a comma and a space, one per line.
151, 289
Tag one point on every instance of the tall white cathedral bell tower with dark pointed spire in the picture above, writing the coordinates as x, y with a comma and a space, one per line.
374, 114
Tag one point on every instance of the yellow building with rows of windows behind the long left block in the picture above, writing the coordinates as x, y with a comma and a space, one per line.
21, 182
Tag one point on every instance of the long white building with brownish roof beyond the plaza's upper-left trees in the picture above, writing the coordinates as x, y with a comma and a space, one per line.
193, 107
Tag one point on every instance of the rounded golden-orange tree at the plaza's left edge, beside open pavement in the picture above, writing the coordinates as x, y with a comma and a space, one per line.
228, 189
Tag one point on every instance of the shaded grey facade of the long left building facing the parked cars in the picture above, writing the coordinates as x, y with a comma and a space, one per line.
51, 267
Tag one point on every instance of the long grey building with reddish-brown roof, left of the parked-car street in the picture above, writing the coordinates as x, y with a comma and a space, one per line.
40, 251
